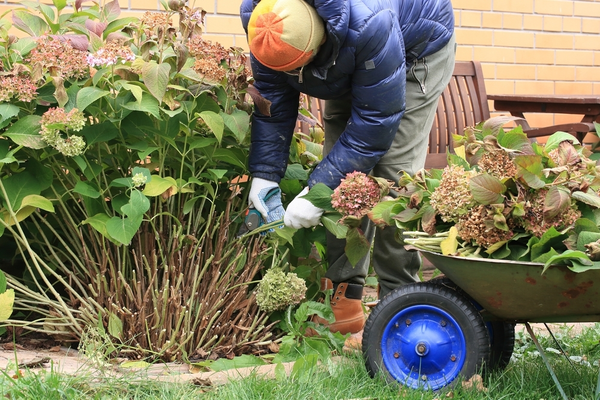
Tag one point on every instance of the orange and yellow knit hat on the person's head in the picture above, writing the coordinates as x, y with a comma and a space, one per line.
284, 34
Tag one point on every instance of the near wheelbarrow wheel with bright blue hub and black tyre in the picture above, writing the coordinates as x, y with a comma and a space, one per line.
424, 335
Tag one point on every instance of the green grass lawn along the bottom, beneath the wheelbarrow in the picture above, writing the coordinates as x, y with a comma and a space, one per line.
526, 377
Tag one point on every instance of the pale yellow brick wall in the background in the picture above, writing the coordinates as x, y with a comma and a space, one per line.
525, 46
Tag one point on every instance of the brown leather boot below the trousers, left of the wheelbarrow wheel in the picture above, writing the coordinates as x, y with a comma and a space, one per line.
346, 303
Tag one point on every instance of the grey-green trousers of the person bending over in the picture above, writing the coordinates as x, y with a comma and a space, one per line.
394, 266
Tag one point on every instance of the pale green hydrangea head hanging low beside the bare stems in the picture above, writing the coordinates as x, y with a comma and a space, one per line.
278, 290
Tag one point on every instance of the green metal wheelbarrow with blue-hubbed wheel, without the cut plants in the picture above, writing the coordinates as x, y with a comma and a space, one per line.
427, 334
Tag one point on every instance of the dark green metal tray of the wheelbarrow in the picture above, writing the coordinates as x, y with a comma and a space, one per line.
519, 292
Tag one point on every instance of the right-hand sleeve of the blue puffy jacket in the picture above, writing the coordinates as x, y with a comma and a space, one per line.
378, 101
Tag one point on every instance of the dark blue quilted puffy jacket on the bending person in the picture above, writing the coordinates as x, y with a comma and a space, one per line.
370, 44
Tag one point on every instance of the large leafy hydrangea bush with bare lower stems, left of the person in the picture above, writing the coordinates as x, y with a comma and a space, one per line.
122, 141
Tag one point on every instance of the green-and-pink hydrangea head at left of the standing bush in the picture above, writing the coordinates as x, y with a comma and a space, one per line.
55, 122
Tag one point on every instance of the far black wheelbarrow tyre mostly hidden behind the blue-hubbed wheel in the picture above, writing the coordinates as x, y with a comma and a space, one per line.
502, 333
